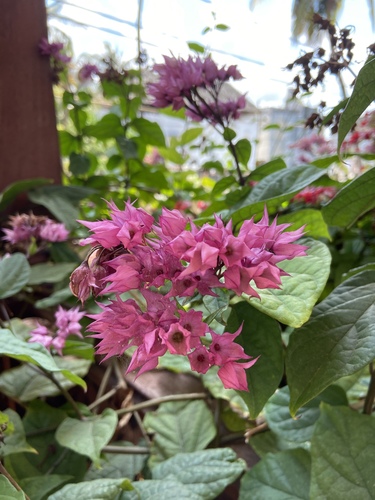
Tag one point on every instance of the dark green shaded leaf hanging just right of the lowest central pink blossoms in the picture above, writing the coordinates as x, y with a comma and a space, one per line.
260, 336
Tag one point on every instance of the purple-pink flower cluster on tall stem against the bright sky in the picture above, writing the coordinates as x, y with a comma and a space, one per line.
195, 84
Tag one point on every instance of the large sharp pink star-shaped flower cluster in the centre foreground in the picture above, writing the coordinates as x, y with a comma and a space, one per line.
168, 260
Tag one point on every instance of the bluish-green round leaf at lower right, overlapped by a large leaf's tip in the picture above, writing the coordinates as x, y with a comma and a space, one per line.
299, 429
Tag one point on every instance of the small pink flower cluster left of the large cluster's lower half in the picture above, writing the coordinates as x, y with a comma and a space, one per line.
66, 323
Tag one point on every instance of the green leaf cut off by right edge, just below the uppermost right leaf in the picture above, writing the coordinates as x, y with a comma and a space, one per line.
352, 201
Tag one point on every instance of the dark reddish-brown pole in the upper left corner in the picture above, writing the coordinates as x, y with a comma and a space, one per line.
28, 138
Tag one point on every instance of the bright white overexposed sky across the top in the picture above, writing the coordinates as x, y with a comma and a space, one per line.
258, 42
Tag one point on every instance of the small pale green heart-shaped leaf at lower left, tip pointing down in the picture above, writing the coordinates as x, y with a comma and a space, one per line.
88, 436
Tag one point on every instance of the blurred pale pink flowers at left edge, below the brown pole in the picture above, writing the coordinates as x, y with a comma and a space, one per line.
28, 227
